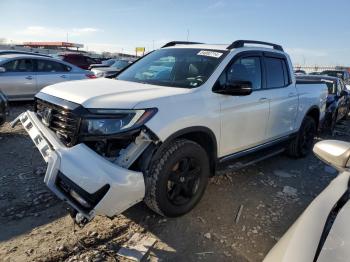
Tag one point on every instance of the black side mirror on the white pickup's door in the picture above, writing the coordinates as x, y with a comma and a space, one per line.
235, 88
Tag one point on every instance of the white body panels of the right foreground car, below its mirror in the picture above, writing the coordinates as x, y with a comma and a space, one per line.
302, 238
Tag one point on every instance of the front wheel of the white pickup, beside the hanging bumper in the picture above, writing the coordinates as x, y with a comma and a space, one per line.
177, 180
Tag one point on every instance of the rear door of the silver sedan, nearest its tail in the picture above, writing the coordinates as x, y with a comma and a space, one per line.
50, 72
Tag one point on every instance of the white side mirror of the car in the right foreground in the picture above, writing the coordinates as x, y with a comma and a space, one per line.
333, 152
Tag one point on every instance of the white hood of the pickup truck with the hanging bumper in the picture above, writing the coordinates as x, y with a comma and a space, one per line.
110, 93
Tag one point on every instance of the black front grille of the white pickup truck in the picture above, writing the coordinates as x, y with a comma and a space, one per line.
60, 120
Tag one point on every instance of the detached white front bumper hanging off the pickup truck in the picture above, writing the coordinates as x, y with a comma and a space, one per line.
91, 184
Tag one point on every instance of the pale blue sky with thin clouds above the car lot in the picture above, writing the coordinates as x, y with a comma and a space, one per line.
313, 32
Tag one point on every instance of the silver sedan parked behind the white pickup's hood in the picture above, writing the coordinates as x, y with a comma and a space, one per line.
22, 76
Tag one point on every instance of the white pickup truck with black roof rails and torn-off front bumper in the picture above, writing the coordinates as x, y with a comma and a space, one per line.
159, 131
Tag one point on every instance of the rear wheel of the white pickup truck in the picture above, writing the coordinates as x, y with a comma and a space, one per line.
302, 144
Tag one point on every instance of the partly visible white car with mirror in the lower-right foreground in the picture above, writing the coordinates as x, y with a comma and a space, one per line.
322, 232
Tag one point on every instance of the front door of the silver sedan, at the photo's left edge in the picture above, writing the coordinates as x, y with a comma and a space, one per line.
18, 82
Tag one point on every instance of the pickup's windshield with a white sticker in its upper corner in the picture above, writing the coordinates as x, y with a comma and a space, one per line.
186, 68
